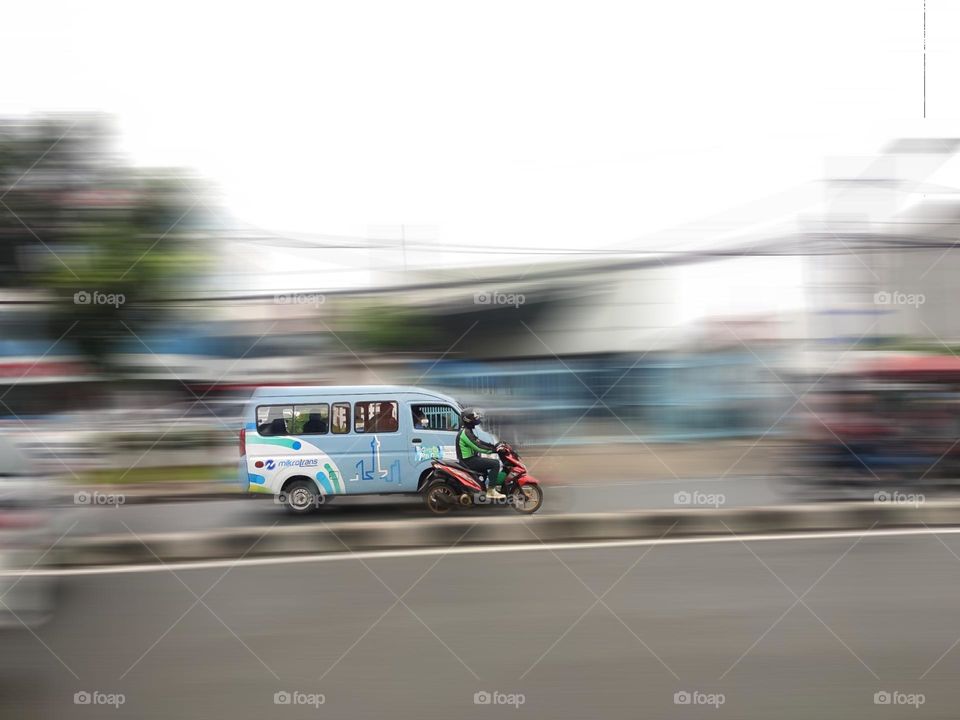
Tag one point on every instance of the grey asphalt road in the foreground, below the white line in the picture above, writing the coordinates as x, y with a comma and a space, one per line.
719, 619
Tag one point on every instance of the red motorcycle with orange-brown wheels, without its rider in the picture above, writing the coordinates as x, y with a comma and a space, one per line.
452, 485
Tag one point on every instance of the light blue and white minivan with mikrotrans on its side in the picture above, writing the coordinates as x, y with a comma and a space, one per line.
305, 444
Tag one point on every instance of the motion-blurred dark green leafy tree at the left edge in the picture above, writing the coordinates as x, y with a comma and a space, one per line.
101, 240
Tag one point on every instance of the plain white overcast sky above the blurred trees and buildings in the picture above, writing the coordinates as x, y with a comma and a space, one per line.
544, 124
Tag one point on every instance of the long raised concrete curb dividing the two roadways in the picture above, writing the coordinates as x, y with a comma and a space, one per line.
344, 537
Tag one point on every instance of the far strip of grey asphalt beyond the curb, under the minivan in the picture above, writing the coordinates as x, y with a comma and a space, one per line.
593, 497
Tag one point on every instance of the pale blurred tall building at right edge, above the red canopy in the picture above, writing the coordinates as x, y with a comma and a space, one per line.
883, 258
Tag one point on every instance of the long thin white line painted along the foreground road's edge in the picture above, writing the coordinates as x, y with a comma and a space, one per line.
471, 550
